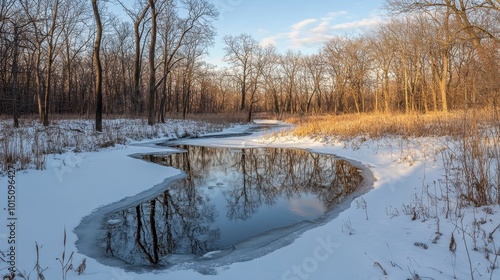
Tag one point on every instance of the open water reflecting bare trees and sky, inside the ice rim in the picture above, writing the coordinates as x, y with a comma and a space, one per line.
224, 194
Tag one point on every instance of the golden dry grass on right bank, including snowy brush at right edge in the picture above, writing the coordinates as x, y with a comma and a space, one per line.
470, 138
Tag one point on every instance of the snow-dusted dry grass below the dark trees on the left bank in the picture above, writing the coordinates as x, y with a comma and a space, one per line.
26, 147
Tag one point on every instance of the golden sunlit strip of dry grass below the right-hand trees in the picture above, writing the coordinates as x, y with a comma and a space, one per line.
381, 125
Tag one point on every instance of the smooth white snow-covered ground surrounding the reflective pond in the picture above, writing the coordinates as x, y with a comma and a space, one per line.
397, 230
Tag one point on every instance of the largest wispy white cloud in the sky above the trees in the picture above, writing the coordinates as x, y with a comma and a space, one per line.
312, 32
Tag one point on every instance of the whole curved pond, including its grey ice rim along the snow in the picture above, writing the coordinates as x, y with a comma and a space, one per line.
231, 204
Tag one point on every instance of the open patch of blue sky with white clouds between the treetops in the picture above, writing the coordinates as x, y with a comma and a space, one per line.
293, 24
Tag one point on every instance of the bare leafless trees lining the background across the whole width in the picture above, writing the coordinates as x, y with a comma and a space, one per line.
75, 57
